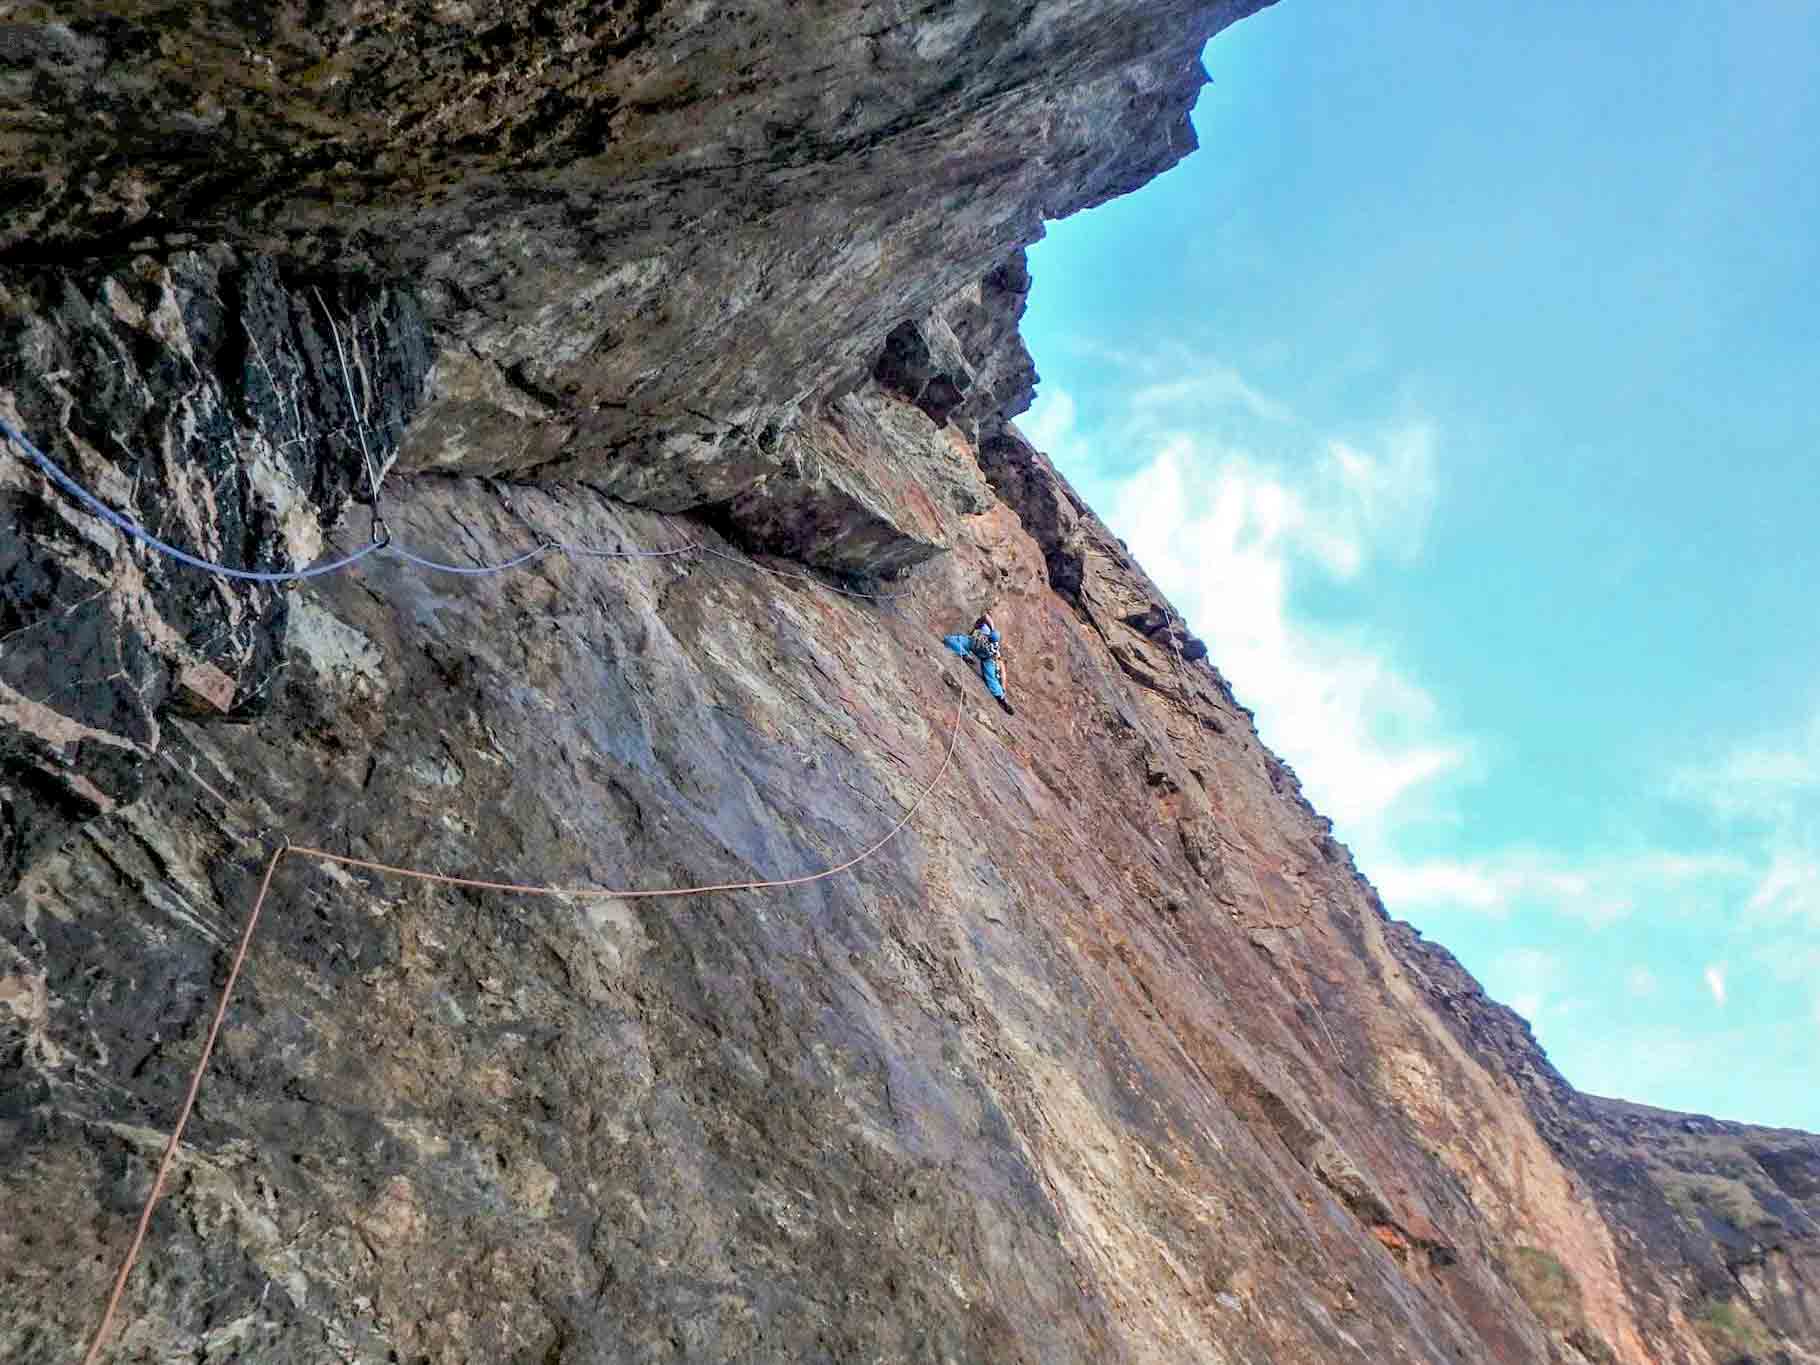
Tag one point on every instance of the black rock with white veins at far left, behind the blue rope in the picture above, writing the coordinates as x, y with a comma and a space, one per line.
207, 398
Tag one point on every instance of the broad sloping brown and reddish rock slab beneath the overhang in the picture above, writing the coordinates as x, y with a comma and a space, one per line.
1015, 1091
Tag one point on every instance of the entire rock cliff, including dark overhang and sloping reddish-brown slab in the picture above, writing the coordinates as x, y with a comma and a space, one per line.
1111, 1055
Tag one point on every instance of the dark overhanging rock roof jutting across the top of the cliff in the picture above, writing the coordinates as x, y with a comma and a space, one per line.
607, 210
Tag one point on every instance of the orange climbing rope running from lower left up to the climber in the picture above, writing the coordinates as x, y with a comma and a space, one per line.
420, 875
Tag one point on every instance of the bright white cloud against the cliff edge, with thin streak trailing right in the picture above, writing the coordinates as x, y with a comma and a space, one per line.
1231, 532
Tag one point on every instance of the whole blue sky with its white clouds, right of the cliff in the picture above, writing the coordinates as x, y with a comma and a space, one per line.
1464, 390
